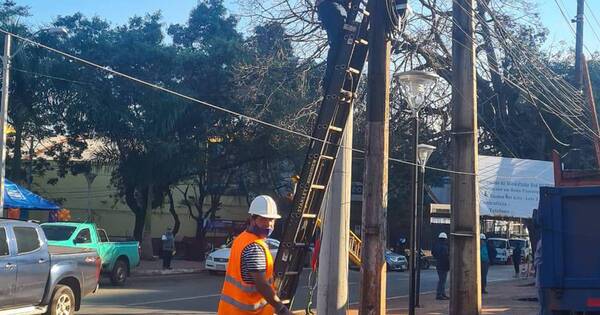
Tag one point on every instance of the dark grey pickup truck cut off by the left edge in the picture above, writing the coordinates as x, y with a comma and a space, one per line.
36, 278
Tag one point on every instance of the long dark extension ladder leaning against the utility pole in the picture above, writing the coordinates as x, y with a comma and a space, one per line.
318, 166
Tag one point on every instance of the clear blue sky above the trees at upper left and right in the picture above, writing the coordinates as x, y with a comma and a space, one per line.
176, 11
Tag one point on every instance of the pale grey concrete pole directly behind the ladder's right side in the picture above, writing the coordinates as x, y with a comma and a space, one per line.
332, 283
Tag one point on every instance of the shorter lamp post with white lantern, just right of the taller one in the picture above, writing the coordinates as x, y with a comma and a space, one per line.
424, 151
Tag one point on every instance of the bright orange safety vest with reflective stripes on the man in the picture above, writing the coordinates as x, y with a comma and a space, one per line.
239, 297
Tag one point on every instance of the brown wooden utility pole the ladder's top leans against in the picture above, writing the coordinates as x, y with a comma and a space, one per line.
375, 188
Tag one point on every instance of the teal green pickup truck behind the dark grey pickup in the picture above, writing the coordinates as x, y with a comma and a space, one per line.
118, 258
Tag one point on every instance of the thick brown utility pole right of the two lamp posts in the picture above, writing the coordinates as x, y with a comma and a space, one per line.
465, 269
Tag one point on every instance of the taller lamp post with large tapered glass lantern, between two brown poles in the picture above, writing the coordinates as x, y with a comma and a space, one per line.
416, 87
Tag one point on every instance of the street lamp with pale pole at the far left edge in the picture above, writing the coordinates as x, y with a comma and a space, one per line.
6, 61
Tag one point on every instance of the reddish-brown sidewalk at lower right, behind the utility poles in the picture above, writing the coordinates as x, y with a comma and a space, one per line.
504, 298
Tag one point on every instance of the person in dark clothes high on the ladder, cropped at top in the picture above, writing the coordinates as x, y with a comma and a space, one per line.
332, 14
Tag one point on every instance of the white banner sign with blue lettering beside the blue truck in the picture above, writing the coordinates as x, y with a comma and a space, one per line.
511, 187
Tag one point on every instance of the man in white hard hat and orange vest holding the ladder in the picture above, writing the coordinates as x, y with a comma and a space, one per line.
248, 286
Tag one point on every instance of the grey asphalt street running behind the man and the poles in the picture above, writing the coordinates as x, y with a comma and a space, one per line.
199, 293
